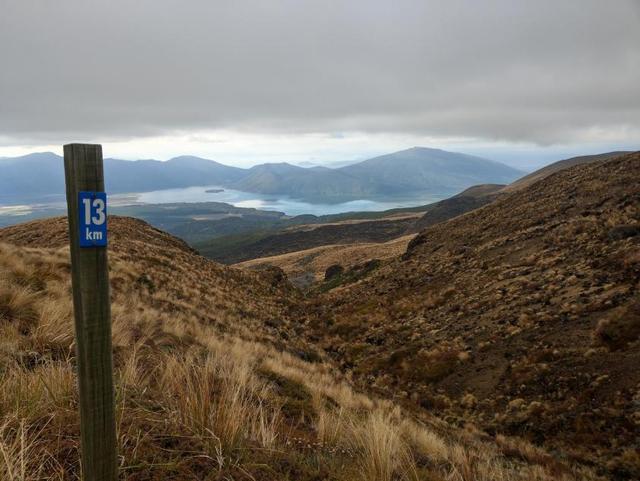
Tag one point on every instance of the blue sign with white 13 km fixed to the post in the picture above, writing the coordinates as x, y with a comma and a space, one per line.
92, 219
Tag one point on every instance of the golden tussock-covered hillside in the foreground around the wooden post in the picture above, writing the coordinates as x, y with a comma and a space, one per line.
213, 379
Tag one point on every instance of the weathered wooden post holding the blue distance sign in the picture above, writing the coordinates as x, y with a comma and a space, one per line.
91, 304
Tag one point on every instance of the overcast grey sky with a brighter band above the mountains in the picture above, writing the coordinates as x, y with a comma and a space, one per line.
251, 81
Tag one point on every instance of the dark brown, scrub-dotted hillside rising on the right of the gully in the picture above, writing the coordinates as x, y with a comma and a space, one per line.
522, 316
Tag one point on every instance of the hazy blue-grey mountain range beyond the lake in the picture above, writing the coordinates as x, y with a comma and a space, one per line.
39, 177
